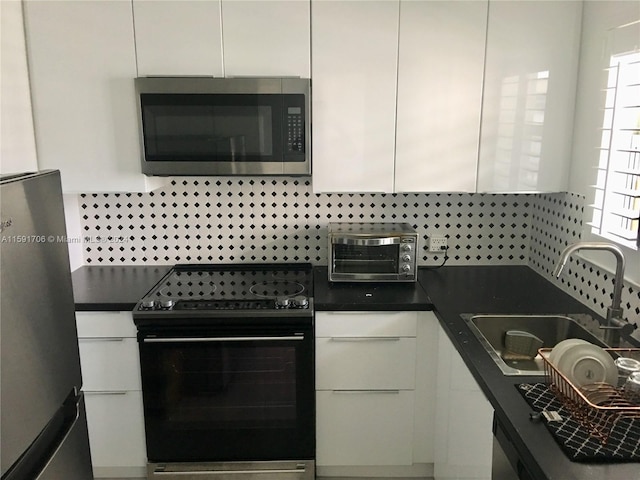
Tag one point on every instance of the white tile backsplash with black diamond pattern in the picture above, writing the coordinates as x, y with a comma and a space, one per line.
230, 219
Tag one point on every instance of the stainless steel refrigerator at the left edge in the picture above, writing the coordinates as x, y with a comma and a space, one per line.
44, 428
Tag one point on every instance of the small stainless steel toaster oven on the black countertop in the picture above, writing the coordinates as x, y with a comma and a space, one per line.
372, 252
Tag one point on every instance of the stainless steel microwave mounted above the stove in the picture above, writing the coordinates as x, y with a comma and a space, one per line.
224, 126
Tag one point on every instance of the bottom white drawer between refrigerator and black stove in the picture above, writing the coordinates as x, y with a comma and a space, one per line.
116, 429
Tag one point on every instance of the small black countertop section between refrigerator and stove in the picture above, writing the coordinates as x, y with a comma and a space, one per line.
117, 288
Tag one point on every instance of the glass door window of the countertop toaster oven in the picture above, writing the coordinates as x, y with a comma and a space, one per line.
365, 259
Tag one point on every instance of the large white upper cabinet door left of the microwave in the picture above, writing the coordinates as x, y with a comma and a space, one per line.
82, 65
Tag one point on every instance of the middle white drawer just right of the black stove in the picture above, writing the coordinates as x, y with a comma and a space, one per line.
365, 363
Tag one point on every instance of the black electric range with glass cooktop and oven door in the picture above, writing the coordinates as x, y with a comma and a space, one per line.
227, 367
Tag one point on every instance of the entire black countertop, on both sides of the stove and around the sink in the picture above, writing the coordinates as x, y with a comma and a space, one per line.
448, 291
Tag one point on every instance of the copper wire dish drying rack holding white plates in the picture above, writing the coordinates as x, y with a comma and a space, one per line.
611, 406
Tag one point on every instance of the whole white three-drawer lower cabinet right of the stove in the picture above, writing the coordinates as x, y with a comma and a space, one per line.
371, 414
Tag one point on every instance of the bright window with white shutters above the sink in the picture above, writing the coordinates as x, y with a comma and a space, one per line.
616, 207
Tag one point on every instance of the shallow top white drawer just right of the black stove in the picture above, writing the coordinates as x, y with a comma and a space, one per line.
366, 324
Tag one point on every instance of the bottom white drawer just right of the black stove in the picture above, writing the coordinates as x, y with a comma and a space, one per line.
364, 428
